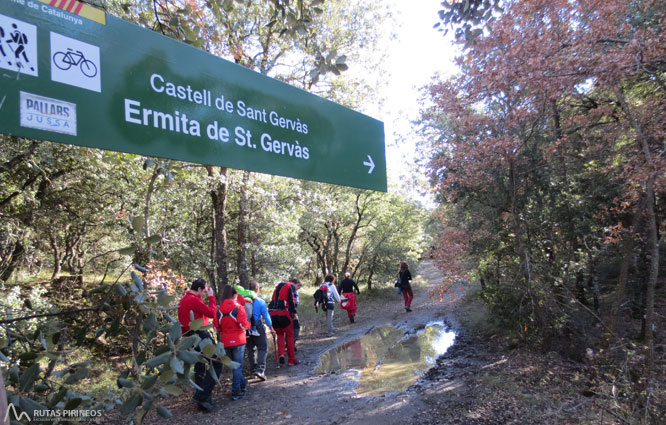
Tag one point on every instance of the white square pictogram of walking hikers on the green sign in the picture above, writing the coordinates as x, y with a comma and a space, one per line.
18, 46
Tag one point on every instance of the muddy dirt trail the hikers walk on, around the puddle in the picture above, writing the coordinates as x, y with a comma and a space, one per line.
295, 395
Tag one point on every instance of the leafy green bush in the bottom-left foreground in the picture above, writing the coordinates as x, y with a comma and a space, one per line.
161, 359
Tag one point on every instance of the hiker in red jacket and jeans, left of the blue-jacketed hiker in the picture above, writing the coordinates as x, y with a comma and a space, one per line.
232, 323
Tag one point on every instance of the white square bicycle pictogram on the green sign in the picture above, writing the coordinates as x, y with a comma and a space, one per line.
75, 63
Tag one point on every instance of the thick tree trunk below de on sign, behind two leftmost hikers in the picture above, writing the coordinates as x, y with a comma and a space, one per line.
219, 201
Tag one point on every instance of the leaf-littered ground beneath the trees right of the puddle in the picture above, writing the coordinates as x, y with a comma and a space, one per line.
490, 377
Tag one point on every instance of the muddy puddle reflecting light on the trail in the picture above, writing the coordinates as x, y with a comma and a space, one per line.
389, 360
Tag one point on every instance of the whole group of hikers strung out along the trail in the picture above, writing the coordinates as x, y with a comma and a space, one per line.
243, 317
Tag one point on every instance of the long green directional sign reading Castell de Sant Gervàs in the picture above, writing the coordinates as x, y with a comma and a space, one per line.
74, 78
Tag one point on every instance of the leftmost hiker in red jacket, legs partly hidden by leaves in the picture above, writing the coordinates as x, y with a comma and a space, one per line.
192, 307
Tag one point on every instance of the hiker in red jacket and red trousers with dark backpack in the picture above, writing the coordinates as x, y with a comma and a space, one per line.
282, 309
